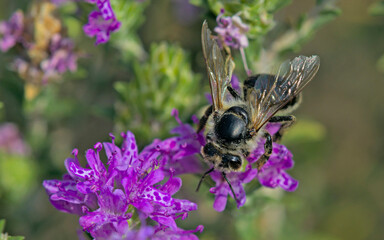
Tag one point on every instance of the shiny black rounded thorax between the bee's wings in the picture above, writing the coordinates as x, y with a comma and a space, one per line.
232, 126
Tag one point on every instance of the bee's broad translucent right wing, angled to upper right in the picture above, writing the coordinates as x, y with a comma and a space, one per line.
272, 92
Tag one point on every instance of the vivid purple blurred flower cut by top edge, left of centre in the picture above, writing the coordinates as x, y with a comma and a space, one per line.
101, 23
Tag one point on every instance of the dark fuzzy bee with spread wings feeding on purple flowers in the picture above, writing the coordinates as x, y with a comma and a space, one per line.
235, 121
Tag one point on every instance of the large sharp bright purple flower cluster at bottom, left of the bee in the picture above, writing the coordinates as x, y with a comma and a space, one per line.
107, 197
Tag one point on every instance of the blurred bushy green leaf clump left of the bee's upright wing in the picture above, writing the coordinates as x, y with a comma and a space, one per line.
163, 82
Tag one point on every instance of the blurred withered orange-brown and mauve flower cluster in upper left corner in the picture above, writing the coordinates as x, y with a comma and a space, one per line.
44, 53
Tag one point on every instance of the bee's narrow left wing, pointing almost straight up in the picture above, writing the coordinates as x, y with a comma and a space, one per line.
219, 70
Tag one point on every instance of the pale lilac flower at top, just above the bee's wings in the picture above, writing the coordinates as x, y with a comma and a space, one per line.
231, 31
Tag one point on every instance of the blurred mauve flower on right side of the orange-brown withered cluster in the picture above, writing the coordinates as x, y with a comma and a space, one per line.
62, 57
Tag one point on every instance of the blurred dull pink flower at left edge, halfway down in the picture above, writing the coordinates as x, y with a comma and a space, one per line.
11, 141
